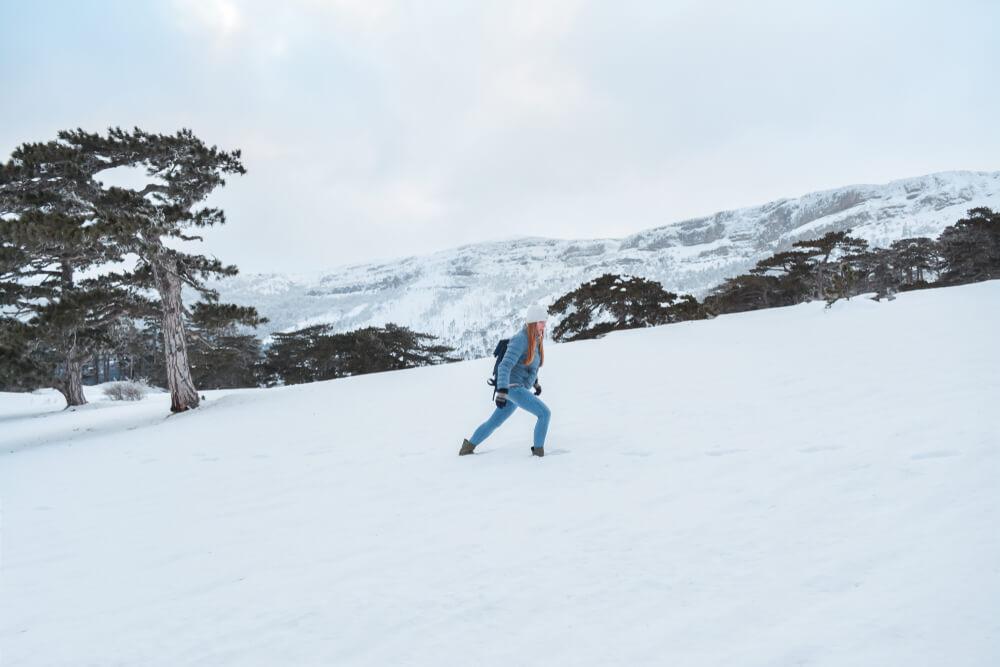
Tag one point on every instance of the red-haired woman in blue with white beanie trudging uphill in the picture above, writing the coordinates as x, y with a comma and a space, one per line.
517, 375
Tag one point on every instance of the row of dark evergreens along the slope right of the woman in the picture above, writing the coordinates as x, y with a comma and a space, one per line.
833, 267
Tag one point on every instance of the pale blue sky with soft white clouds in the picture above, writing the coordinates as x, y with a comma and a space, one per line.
374, 129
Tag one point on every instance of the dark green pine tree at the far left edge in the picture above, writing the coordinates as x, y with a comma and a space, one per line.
49, 233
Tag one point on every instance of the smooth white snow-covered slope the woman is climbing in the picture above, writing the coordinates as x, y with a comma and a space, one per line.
788, 487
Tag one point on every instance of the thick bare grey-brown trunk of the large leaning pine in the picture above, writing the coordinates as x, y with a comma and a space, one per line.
183, 395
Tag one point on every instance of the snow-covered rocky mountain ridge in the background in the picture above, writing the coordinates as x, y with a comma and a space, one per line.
472, 295
